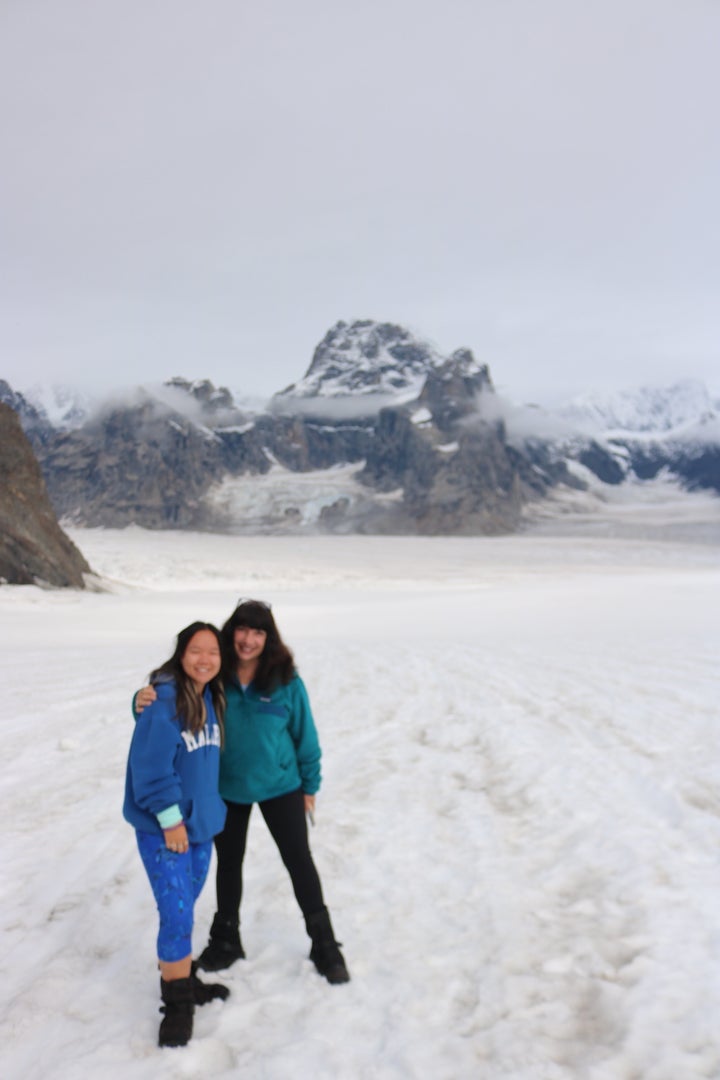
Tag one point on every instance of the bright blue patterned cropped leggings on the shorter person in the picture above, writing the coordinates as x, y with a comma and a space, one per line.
176, 881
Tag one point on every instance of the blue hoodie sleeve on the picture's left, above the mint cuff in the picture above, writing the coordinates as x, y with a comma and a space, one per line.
156, 741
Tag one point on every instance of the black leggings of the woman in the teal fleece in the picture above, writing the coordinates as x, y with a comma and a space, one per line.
286, 818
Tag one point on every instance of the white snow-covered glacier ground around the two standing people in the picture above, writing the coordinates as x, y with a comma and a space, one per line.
519, 832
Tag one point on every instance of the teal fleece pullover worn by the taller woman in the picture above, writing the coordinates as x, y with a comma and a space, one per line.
271, 746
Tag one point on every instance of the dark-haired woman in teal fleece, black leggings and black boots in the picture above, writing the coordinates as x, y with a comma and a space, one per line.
271, 757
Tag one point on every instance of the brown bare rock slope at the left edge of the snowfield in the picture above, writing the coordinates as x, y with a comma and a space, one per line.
34, 549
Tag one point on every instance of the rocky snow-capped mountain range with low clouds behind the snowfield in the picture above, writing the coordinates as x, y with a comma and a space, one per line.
389, 436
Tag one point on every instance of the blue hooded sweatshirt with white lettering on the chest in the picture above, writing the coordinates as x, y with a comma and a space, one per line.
169, 765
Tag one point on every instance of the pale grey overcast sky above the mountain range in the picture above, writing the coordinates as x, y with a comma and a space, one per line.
203, 187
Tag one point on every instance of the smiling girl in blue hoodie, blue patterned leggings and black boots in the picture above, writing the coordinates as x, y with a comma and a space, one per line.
173, 803
